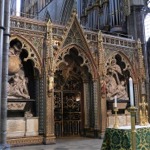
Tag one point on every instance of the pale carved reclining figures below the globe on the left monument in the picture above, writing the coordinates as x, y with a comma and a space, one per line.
18, 87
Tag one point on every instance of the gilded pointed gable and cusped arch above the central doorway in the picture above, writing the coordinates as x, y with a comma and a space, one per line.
74, 37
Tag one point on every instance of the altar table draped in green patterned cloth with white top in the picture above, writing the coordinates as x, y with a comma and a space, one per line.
120, 139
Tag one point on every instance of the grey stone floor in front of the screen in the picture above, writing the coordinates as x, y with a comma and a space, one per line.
77, 143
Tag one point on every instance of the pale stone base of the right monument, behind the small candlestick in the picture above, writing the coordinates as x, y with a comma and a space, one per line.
123, 120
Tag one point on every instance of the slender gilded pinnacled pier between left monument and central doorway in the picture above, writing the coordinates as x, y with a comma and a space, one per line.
49, 89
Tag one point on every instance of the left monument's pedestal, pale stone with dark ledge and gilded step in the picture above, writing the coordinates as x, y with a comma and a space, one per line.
22, 127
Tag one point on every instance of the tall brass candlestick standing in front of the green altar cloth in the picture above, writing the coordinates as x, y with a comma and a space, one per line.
132, 111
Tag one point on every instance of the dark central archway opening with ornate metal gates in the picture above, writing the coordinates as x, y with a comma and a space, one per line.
69, 95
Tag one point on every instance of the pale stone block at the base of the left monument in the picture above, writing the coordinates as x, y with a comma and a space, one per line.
22, 127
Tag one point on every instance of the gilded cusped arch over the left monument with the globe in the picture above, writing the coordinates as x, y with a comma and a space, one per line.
33, 54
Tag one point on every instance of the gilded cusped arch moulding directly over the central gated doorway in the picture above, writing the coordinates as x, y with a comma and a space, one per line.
86, 56
